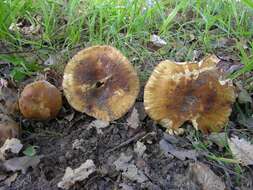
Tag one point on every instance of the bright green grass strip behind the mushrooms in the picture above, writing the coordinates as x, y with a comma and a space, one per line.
125, 23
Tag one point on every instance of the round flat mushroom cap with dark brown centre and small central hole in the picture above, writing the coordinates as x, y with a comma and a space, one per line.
100, 82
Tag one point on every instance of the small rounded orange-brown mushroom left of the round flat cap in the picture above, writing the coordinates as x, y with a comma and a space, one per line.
40, 100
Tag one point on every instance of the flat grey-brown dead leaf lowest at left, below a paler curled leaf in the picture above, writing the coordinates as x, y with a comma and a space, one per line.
21, 163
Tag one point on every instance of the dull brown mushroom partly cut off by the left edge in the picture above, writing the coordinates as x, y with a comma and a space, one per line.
8, 128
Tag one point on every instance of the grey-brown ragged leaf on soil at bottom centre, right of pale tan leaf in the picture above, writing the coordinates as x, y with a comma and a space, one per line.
129, 170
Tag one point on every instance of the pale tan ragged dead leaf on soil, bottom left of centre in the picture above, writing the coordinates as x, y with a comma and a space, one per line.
79, 174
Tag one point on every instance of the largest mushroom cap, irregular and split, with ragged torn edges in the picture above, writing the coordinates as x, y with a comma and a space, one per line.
180, 92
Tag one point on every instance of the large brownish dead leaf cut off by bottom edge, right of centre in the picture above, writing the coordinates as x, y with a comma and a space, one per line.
205, 177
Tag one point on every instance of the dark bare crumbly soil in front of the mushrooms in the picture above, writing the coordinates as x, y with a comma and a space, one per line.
55, 141
